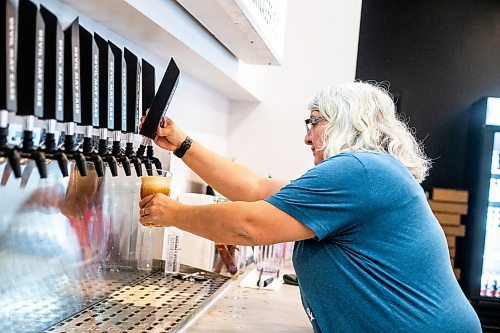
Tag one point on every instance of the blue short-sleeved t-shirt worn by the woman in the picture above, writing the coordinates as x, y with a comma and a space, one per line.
379, 261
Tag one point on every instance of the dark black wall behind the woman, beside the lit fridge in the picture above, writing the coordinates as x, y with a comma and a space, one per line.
440, 56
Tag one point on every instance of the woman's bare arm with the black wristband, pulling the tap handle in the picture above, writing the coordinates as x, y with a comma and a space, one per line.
232, 180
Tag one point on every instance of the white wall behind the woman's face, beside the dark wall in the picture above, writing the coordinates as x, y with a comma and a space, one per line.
320, 49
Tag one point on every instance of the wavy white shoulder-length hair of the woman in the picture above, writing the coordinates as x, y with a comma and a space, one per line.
361, 116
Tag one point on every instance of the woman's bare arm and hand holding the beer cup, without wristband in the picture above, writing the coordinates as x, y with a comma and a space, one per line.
242, 223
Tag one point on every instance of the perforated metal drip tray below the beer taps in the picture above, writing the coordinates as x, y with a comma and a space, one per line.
158, 303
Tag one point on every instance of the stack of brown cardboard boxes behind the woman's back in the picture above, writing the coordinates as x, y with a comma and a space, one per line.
448, 205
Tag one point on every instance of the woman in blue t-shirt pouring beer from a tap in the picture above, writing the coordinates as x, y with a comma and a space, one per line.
370, 255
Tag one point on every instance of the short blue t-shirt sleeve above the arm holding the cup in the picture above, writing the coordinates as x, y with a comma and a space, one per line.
330, 199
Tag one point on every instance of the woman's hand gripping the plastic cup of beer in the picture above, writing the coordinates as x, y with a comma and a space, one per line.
157, 210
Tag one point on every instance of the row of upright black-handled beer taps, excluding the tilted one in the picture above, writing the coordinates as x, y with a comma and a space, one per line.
71, 79
